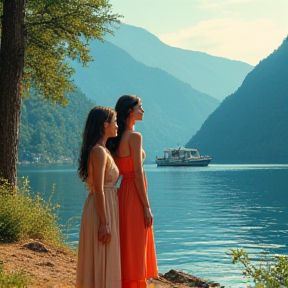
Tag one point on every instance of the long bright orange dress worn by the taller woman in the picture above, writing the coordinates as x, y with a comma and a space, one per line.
137, 246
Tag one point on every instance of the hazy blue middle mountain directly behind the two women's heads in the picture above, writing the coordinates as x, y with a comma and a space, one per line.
173, 109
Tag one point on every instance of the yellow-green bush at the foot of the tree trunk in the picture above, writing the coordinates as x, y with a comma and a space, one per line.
25, 215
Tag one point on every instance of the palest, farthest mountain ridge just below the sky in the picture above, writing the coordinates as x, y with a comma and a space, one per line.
215, 76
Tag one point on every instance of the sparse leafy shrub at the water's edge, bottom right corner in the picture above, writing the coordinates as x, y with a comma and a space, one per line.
271, 274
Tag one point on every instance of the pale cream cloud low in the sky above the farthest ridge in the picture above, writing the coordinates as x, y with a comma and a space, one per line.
238, 39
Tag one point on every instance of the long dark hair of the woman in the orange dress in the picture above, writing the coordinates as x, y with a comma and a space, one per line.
123, 108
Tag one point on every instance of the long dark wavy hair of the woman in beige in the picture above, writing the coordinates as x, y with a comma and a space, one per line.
93, 131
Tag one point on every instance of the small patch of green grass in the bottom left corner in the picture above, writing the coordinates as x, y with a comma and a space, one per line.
13, 279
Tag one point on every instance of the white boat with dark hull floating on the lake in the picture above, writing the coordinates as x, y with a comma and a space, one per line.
182, 157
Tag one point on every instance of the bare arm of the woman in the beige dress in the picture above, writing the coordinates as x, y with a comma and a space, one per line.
99, 159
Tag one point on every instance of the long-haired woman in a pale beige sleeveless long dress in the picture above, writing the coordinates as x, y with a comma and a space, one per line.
98, 264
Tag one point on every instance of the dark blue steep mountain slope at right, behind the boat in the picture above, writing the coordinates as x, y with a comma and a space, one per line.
251, 125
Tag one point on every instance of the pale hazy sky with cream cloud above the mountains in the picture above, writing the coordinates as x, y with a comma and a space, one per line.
246, 30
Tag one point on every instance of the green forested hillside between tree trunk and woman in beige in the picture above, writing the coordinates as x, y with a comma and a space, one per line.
51, 133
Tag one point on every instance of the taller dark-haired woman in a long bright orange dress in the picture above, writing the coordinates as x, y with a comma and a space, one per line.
137, 246
